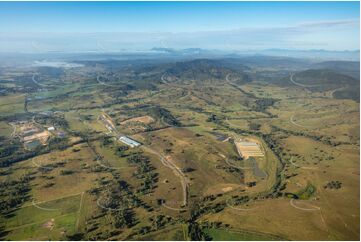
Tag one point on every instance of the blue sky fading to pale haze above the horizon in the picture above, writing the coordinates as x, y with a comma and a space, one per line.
116, 26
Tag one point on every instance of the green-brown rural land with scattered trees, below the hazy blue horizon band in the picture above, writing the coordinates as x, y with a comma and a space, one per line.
201, 149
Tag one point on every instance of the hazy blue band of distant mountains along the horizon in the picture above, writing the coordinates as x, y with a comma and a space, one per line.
278, 58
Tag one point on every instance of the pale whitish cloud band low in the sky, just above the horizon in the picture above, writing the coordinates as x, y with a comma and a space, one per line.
335, 34
